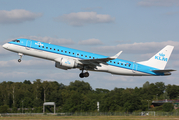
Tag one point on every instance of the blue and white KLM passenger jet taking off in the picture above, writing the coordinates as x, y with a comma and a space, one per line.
67, 58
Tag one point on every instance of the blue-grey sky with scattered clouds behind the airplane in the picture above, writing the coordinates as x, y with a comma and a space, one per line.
140, 28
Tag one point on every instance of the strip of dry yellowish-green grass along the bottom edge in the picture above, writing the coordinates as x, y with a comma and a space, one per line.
47, 117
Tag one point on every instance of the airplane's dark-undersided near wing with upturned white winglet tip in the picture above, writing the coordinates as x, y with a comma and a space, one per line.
99, 60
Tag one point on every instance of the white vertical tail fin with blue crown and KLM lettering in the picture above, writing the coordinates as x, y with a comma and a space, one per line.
160, 59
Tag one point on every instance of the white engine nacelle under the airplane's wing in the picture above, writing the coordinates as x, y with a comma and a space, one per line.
65, 63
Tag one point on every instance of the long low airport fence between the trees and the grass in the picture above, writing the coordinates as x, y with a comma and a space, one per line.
145, 113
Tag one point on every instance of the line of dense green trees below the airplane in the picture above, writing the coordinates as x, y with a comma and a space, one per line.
79, 96
